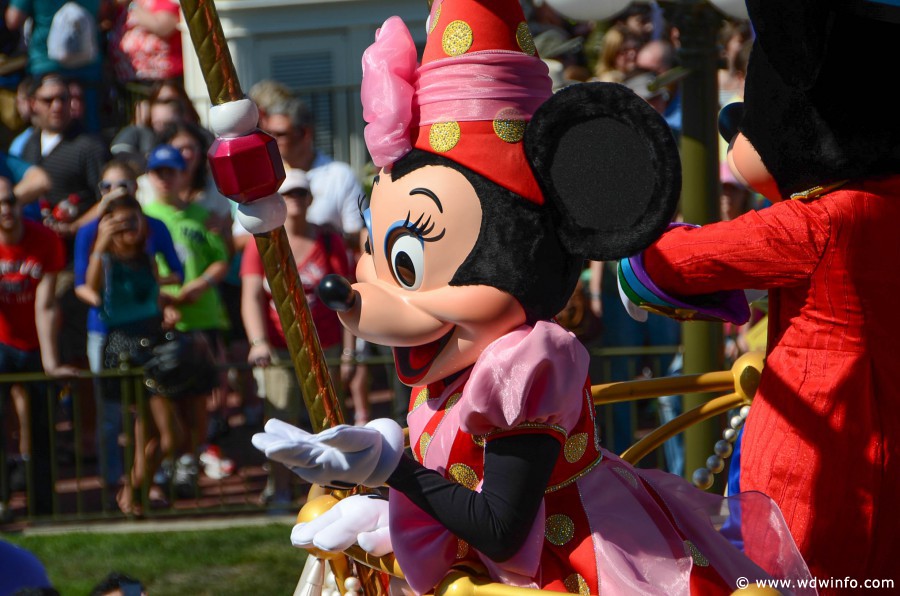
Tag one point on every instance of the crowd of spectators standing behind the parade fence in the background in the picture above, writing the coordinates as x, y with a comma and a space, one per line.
112, 231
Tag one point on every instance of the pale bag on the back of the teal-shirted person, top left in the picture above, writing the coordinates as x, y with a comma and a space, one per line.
72, 40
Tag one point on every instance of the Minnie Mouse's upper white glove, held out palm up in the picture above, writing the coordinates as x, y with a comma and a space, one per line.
340, 457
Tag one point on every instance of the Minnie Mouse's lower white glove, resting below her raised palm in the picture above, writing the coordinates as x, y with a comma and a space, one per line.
361, 519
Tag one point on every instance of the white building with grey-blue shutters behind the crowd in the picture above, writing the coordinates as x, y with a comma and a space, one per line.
314, 47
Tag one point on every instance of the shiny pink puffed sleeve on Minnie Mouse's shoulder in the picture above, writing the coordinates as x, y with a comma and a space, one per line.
531, 379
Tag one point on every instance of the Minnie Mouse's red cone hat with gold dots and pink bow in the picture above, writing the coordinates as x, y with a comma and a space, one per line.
478, 85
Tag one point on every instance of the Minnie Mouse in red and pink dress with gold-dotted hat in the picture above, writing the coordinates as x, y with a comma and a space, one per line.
491, 194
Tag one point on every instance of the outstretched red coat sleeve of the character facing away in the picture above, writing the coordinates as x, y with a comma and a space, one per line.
776, 247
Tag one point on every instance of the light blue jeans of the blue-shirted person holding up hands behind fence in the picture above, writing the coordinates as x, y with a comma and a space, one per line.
109, 415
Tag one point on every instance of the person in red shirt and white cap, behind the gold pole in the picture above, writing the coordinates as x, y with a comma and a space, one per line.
317, 252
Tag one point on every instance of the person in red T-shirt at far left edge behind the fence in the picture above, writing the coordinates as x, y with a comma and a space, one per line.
30, 257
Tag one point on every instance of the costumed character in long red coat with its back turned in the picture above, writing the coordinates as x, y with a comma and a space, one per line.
818, 134
